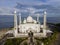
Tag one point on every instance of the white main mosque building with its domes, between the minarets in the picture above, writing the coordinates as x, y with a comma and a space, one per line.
28, 25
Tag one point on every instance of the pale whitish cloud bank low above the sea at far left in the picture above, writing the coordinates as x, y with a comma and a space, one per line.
7, 10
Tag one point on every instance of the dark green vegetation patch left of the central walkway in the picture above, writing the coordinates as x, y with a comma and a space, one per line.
15, 41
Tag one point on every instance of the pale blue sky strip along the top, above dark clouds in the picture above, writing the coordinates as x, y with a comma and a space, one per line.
12, 3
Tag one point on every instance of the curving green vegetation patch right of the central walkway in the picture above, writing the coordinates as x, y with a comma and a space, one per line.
48, 40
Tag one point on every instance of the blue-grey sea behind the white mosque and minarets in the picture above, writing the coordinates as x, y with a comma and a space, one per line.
7, 21
